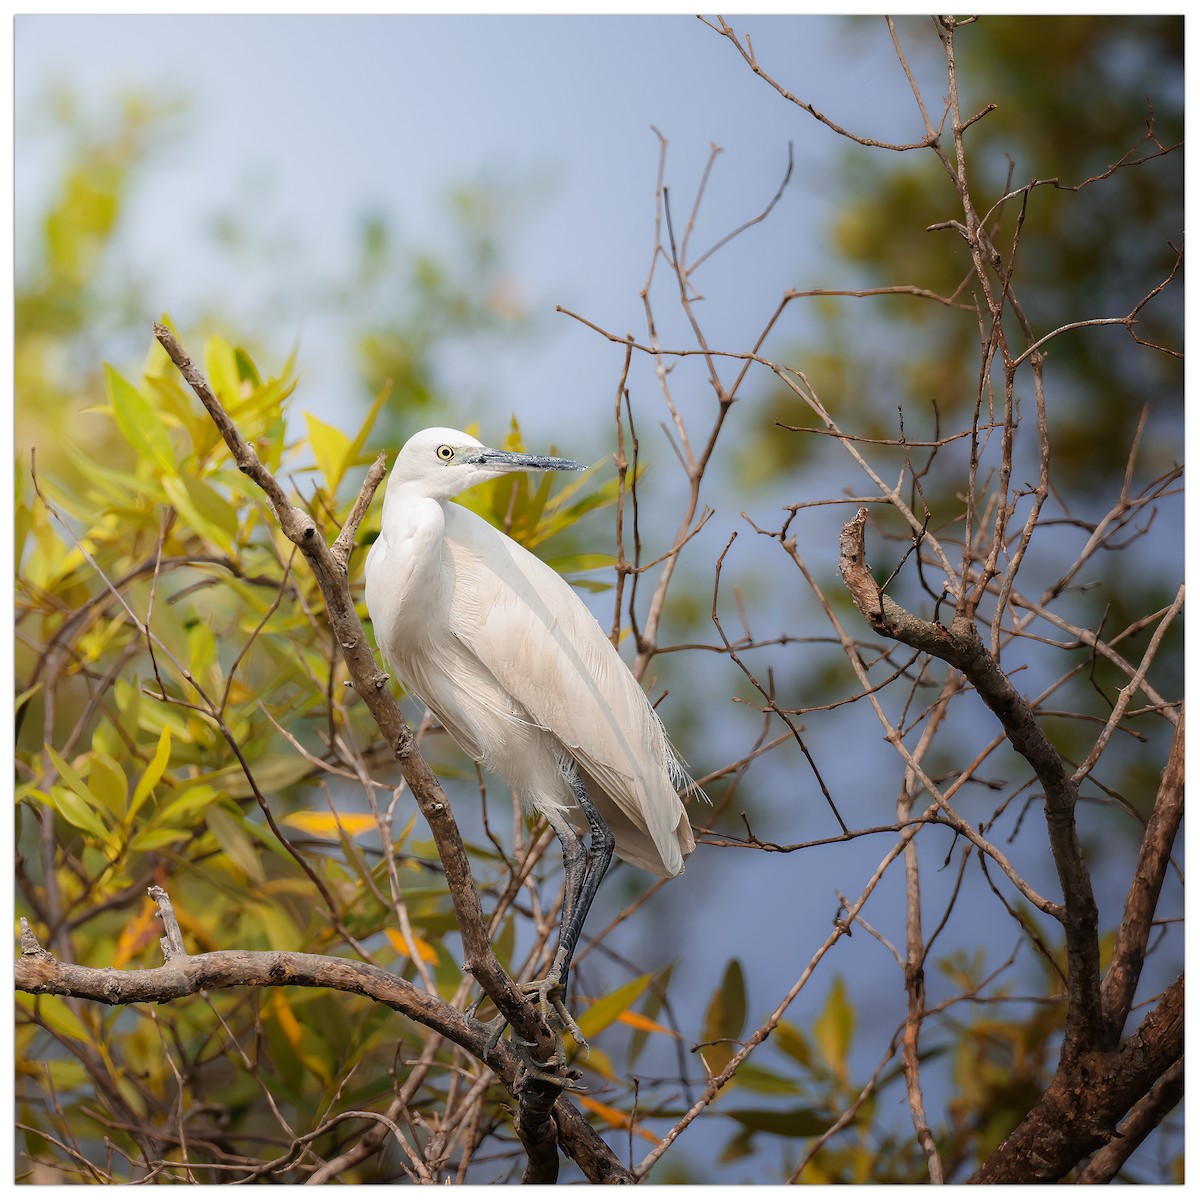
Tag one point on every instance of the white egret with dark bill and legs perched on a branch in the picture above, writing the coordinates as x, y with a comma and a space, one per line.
506, 655
